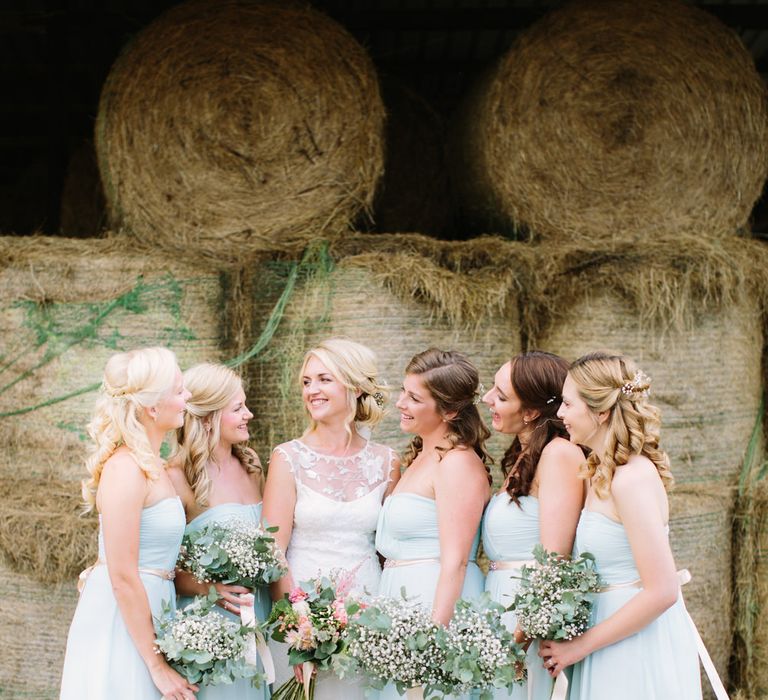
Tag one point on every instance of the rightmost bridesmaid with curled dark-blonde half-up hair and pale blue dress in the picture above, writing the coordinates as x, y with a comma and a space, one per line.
642, 644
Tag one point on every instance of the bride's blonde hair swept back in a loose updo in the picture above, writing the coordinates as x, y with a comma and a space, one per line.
354, 365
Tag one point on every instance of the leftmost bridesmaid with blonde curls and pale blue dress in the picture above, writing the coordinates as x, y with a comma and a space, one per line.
111, 644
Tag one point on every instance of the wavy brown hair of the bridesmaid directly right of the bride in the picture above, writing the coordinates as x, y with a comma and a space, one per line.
453, 382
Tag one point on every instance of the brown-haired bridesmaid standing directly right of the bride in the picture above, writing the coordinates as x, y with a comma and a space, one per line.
429, 528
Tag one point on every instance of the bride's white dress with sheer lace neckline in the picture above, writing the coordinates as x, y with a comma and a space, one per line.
338, 500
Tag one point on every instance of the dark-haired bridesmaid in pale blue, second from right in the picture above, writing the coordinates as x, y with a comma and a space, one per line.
542, 494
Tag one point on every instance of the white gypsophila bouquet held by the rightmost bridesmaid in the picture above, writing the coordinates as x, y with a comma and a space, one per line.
555, 597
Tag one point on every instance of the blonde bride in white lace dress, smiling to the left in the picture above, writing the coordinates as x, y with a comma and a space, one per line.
324, 490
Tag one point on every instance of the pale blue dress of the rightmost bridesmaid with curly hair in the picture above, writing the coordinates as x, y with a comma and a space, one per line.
660, 662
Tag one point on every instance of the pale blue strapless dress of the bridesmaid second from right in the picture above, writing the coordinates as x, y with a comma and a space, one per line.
510, 532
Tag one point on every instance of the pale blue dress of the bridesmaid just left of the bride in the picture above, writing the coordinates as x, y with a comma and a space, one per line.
241, 689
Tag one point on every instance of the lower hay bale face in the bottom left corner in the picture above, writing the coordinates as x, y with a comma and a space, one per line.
34, 622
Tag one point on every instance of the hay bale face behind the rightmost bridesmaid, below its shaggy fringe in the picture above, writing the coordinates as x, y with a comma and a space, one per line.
706, 377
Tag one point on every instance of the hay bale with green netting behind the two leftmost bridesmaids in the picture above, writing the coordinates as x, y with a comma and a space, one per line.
67, 305
